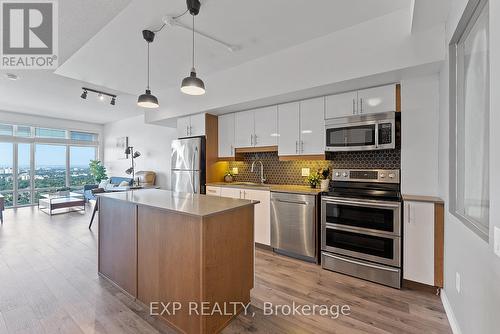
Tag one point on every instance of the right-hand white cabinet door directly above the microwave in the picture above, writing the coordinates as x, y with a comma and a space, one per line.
376, 100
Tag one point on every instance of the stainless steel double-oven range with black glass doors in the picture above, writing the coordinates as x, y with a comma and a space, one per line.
361, 225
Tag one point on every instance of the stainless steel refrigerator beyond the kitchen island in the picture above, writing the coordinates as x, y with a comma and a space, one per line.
188, 165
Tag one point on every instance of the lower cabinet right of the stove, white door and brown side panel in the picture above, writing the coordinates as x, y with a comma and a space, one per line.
422, 252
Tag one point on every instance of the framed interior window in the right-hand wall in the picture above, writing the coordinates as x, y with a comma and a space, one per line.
469, 186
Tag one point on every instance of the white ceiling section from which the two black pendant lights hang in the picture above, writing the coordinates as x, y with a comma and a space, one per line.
116, 57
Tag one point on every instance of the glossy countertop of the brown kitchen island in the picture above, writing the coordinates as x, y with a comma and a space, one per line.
190, 204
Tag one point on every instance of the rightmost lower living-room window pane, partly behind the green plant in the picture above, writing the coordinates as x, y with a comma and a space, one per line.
80, 157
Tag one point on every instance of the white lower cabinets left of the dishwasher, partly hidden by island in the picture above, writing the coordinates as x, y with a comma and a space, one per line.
262, 210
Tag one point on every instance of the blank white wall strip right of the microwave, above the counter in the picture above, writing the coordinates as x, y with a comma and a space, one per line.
419, 128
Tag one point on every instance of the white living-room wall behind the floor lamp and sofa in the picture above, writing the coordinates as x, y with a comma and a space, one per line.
153, 141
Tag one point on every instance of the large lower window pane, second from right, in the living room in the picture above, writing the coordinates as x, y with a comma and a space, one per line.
50, 166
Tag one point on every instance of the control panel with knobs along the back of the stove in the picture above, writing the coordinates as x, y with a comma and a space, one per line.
367, 175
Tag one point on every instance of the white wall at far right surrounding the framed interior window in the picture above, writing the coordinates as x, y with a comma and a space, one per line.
477, 307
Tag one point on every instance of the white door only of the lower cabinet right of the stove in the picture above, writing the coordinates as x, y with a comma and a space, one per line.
418, 263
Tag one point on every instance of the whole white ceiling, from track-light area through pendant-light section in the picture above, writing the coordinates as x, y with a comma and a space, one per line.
101, 47
